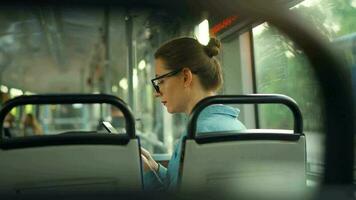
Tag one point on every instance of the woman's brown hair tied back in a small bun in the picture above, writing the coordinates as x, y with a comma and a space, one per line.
188, 52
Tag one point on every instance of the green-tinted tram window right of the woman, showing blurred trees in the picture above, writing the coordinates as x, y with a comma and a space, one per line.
282, 68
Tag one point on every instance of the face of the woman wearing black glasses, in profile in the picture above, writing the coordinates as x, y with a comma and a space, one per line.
172, 94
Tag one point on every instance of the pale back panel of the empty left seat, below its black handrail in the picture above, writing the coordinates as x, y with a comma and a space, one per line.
67, 164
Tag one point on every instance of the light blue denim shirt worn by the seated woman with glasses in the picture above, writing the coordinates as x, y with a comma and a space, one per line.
212, 118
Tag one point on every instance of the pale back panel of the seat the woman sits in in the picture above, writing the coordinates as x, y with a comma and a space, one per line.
255, 162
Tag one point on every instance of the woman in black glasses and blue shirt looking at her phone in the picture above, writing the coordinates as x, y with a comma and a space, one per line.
187, 72
